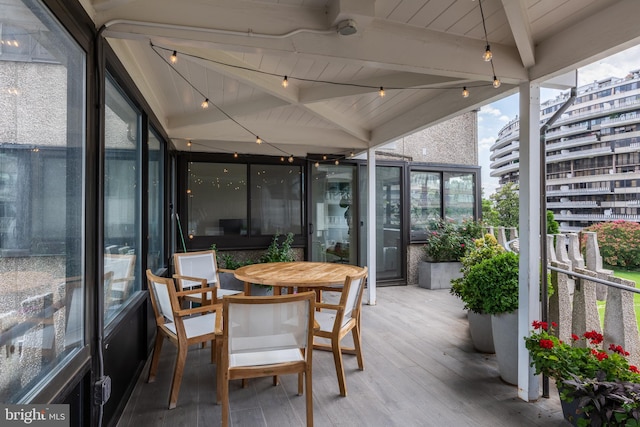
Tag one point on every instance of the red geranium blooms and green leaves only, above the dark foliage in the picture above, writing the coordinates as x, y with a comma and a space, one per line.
560, 360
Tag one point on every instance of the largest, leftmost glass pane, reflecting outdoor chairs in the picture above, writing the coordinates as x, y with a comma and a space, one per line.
42, 146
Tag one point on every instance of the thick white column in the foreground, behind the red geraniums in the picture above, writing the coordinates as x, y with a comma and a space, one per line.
529, 271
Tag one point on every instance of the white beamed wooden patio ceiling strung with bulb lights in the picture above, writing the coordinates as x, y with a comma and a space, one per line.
408, 44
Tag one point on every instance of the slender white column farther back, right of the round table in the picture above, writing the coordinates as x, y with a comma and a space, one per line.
371, 226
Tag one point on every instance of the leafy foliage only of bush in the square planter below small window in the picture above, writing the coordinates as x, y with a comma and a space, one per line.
448, 241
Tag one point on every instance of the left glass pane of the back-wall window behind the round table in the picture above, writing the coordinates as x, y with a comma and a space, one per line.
217, 202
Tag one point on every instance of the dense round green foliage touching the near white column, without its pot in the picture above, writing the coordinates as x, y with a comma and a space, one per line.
492, 285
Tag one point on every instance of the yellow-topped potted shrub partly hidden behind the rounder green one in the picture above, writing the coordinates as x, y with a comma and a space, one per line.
479, 321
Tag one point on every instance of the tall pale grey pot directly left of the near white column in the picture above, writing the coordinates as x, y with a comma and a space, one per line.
505, 341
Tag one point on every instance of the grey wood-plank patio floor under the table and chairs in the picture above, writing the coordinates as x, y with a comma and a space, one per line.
420, 370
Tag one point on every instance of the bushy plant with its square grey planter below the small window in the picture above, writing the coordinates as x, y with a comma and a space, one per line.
446, 244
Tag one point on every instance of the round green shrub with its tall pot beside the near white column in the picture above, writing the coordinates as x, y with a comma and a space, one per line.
494, 284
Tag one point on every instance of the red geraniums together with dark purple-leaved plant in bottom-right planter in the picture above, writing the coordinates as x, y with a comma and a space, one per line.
586, 375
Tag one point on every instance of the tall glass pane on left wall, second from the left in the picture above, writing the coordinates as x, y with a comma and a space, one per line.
121, 201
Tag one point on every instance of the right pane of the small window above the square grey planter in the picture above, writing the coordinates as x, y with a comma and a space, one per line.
459, 196
